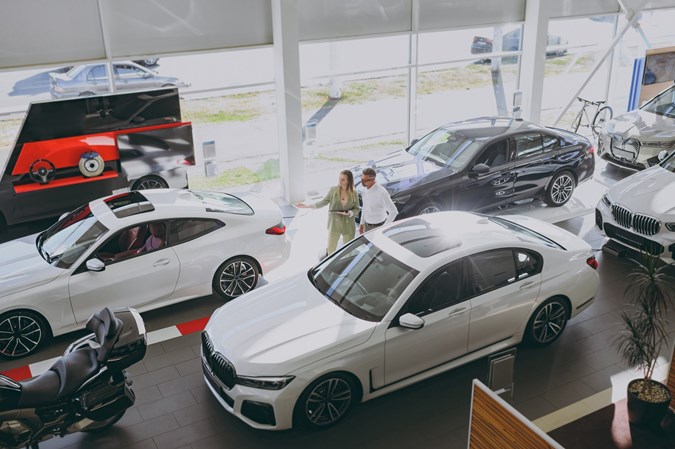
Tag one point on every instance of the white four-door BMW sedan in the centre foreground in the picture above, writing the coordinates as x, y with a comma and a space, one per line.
397, 305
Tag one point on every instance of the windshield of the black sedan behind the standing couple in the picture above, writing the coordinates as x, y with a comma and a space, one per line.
445, 149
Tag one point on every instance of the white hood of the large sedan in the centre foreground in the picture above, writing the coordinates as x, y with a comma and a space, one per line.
283, 326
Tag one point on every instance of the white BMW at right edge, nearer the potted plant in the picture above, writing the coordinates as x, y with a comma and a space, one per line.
639, 211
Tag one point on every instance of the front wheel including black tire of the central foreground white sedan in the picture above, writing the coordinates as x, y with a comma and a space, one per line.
325, 401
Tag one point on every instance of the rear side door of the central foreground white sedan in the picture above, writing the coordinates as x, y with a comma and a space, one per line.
505, 284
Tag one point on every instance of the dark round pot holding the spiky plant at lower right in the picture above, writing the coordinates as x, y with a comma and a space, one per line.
648, 409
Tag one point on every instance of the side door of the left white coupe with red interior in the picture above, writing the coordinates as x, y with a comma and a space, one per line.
130, 278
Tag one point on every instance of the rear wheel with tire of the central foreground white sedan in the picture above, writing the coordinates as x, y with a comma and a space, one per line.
547, 322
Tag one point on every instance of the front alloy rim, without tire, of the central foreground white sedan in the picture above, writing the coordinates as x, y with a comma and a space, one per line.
328, 401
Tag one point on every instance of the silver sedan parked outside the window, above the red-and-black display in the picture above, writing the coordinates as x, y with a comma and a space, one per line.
92, 79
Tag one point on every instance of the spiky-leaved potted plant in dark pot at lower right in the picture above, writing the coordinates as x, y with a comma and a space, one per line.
646, 329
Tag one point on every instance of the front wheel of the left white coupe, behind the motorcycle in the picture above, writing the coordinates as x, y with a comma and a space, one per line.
22, 332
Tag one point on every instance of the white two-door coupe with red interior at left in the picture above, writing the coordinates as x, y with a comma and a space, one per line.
144, 249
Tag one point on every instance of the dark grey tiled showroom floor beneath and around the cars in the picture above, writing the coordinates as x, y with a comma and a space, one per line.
577, 374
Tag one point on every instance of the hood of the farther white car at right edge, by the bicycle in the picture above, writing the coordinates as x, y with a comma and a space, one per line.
643, 126
